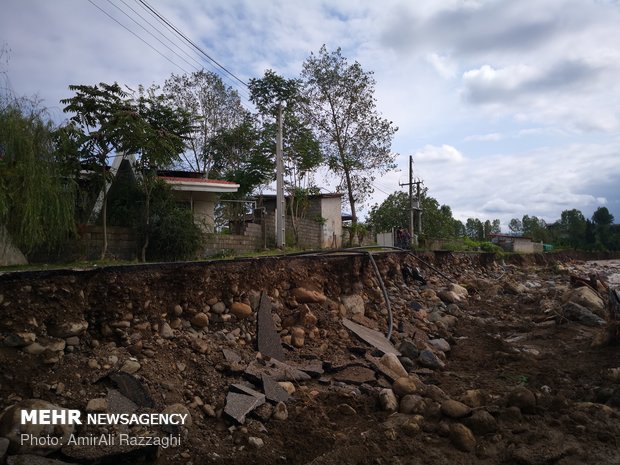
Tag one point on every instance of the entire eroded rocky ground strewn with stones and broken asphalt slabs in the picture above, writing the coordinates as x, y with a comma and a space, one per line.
284, 360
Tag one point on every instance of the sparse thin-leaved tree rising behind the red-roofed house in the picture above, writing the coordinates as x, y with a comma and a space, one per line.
216, 107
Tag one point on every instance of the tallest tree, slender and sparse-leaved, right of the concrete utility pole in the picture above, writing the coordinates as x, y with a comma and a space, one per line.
355, 139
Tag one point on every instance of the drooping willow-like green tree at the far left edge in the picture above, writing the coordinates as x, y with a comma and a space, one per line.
36, 195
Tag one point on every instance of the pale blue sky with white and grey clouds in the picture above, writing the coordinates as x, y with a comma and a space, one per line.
508, 107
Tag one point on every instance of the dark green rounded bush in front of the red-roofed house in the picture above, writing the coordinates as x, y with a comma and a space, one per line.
173, 234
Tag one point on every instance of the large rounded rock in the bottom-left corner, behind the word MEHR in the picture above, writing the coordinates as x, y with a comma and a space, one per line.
11, 427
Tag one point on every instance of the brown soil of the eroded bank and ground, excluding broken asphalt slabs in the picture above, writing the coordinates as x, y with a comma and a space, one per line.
500, 339
